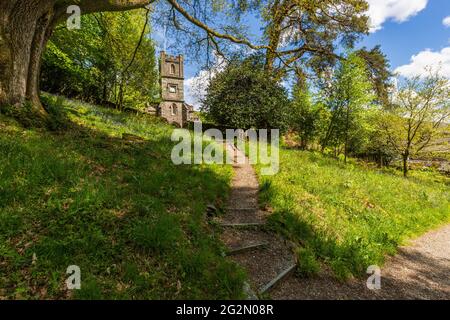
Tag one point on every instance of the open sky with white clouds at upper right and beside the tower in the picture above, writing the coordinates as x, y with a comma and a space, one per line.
412, 33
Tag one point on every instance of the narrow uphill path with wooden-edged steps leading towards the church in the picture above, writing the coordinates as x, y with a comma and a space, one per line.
264, 255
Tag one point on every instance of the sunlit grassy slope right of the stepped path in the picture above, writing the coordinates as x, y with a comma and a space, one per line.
350, 216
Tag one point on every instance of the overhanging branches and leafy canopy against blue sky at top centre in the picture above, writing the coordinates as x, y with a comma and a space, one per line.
298, 35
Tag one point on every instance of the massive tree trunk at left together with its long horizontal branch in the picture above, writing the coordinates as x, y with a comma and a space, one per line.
25, 27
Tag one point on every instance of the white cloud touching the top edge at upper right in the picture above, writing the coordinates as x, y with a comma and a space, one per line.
381, 11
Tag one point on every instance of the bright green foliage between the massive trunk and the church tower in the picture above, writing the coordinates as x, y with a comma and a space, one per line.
91, 63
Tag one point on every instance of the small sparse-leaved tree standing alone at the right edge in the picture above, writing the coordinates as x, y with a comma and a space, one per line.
417, 115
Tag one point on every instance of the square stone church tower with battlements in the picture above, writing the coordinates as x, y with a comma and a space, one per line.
172, 107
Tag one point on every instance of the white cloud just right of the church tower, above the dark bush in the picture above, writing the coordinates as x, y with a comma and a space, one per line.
195, 87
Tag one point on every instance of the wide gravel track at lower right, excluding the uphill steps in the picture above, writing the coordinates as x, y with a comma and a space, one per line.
420, 270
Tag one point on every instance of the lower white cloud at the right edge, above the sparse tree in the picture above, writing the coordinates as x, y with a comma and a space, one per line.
427, 59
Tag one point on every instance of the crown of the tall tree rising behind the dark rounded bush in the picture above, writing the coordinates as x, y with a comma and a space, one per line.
305, 29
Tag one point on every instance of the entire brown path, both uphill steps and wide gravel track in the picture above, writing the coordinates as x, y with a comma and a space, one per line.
419, 271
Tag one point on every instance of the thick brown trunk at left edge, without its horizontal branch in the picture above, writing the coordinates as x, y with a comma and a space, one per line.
24, 30
